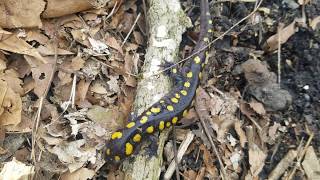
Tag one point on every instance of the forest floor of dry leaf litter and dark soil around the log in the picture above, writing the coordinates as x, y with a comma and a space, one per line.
64, 72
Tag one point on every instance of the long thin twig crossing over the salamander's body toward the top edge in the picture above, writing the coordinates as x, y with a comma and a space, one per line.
208, 45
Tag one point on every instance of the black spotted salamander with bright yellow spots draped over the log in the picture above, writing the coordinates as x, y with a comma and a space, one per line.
167, 111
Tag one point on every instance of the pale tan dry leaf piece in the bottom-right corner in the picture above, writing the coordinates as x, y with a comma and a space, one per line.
311, 164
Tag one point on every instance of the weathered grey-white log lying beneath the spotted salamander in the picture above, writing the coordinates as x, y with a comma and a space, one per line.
166, 22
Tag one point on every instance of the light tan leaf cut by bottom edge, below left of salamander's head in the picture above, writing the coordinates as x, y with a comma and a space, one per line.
80, 174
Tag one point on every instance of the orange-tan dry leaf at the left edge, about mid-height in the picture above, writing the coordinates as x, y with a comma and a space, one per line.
11, 105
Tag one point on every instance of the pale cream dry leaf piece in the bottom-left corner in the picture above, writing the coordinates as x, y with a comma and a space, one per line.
17, 170
